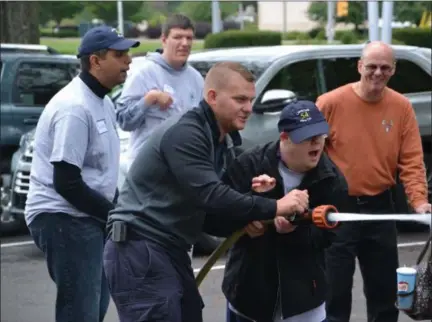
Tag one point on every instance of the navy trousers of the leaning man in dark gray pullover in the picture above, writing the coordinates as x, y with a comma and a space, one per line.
148, 285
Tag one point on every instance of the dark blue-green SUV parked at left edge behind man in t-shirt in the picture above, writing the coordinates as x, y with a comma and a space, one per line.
29, 78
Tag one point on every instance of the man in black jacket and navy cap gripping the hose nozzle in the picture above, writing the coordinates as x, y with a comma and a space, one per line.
276, 273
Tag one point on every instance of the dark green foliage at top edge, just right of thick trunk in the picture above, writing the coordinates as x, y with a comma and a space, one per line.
59, 10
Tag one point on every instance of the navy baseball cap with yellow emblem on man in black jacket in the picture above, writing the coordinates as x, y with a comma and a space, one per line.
302, 120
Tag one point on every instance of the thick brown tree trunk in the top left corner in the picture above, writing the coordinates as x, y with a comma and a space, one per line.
19, 22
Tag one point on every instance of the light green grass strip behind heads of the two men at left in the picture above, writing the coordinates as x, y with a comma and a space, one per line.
70, 45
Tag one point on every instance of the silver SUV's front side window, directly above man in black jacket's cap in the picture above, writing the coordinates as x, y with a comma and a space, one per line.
302, 78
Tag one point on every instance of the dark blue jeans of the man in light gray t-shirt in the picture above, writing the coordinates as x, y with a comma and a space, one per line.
73, 248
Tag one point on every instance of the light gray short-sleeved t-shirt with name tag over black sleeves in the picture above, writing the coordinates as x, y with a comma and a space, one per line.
77, 127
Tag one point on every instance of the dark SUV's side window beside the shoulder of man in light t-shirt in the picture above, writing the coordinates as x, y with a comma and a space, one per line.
36, 83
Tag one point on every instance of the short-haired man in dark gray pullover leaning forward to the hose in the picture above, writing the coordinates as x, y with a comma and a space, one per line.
173, 182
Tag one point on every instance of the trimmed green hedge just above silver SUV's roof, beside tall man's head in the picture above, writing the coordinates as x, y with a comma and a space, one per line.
238, 38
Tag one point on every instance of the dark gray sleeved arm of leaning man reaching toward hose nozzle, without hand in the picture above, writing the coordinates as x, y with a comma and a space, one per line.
187, 151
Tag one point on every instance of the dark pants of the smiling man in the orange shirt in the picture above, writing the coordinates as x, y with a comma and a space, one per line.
375, 245
